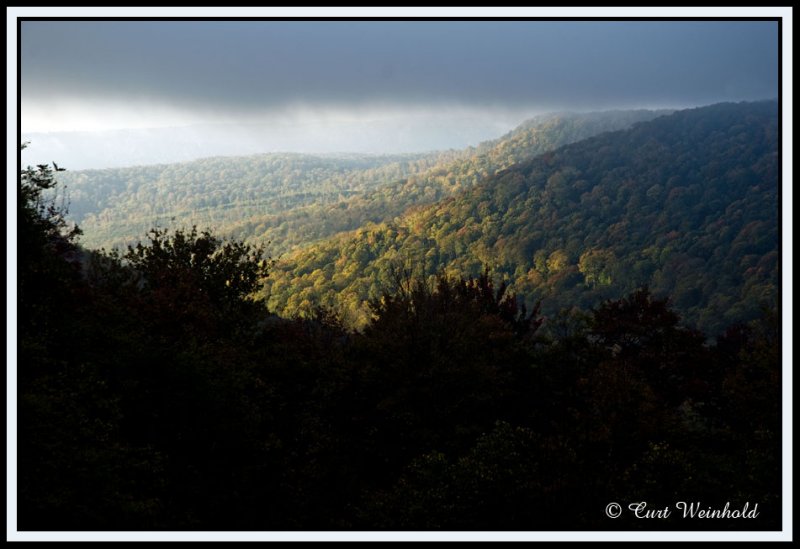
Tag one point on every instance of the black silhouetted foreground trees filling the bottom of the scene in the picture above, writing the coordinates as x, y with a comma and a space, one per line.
154, 393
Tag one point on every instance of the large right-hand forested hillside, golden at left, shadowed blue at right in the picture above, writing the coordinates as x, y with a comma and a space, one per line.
686, 204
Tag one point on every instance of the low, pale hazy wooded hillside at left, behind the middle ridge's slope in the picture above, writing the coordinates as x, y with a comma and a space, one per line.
118, 206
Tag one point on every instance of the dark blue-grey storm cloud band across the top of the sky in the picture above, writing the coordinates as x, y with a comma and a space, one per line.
253, 64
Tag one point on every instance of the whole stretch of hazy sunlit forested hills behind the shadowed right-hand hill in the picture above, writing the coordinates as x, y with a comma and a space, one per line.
290, 200
